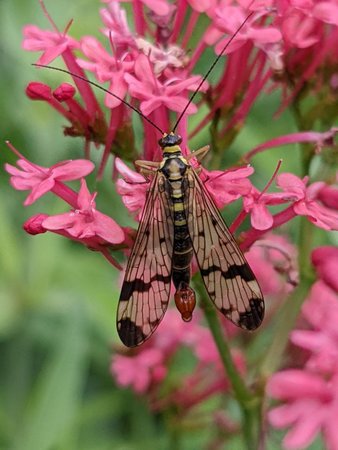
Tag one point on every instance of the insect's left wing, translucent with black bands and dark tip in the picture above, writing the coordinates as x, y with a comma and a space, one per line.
146, 286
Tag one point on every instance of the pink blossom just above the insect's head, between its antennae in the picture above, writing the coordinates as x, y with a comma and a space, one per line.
154, 94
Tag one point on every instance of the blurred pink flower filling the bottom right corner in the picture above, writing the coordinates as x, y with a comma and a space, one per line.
311, 406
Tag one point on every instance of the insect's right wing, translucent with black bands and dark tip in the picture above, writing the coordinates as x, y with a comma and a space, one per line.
227, 276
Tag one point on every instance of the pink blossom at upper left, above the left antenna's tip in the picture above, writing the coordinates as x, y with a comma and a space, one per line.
51, 43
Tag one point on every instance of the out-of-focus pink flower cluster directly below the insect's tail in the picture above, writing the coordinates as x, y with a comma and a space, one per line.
146, 370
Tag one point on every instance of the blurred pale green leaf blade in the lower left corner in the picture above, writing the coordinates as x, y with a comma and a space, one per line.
55, 401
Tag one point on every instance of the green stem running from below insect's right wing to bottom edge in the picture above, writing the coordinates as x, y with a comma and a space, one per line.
248, 403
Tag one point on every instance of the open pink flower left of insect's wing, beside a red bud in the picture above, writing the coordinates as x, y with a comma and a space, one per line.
86, 222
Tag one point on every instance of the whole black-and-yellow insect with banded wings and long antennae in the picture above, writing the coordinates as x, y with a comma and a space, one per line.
180, 220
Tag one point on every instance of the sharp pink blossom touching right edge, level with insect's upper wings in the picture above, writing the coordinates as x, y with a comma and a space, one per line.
305, 200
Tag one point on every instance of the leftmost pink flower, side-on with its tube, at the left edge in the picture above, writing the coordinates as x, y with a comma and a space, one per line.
40, 180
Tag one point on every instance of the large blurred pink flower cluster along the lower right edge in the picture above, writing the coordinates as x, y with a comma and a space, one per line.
310, 395
